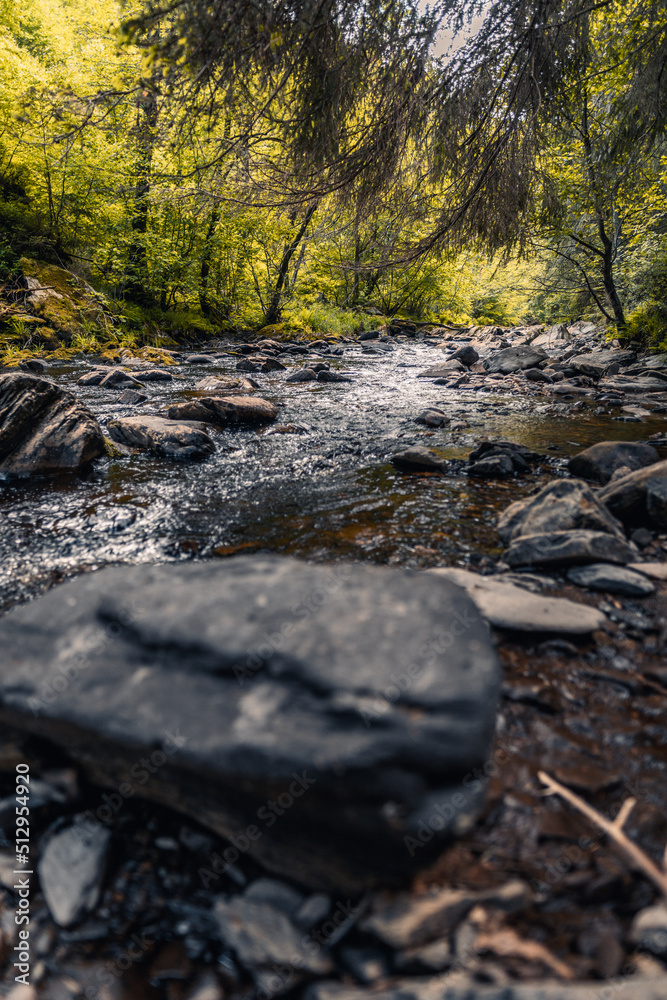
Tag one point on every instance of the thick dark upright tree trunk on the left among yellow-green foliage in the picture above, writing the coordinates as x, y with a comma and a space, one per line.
136, 286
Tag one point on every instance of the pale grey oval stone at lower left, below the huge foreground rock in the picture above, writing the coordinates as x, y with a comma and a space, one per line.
71, 869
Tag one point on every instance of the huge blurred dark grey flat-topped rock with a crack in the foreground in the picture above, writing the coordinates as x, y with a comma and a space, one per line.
322, 718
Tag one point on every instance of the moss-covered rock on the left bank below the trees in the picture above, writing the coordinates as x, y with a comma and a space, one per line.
59, 297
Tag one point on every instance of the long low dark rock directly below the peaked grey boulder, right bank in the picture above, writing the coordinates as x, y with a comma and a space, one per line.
567, 548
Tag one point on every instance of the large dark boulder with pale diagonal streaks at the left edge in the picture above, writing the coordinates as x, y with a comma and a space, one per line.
43, 428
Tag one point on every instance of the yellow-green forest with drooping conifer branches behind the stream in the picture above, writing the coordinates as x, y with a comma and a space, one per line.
240, 166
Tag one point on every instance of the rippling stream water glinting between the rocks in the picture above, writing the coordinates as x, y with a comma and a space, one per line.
325, 489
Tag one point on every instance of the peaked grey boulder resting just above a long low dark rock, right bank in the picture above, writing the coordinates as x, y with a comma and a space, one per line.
563, 505
